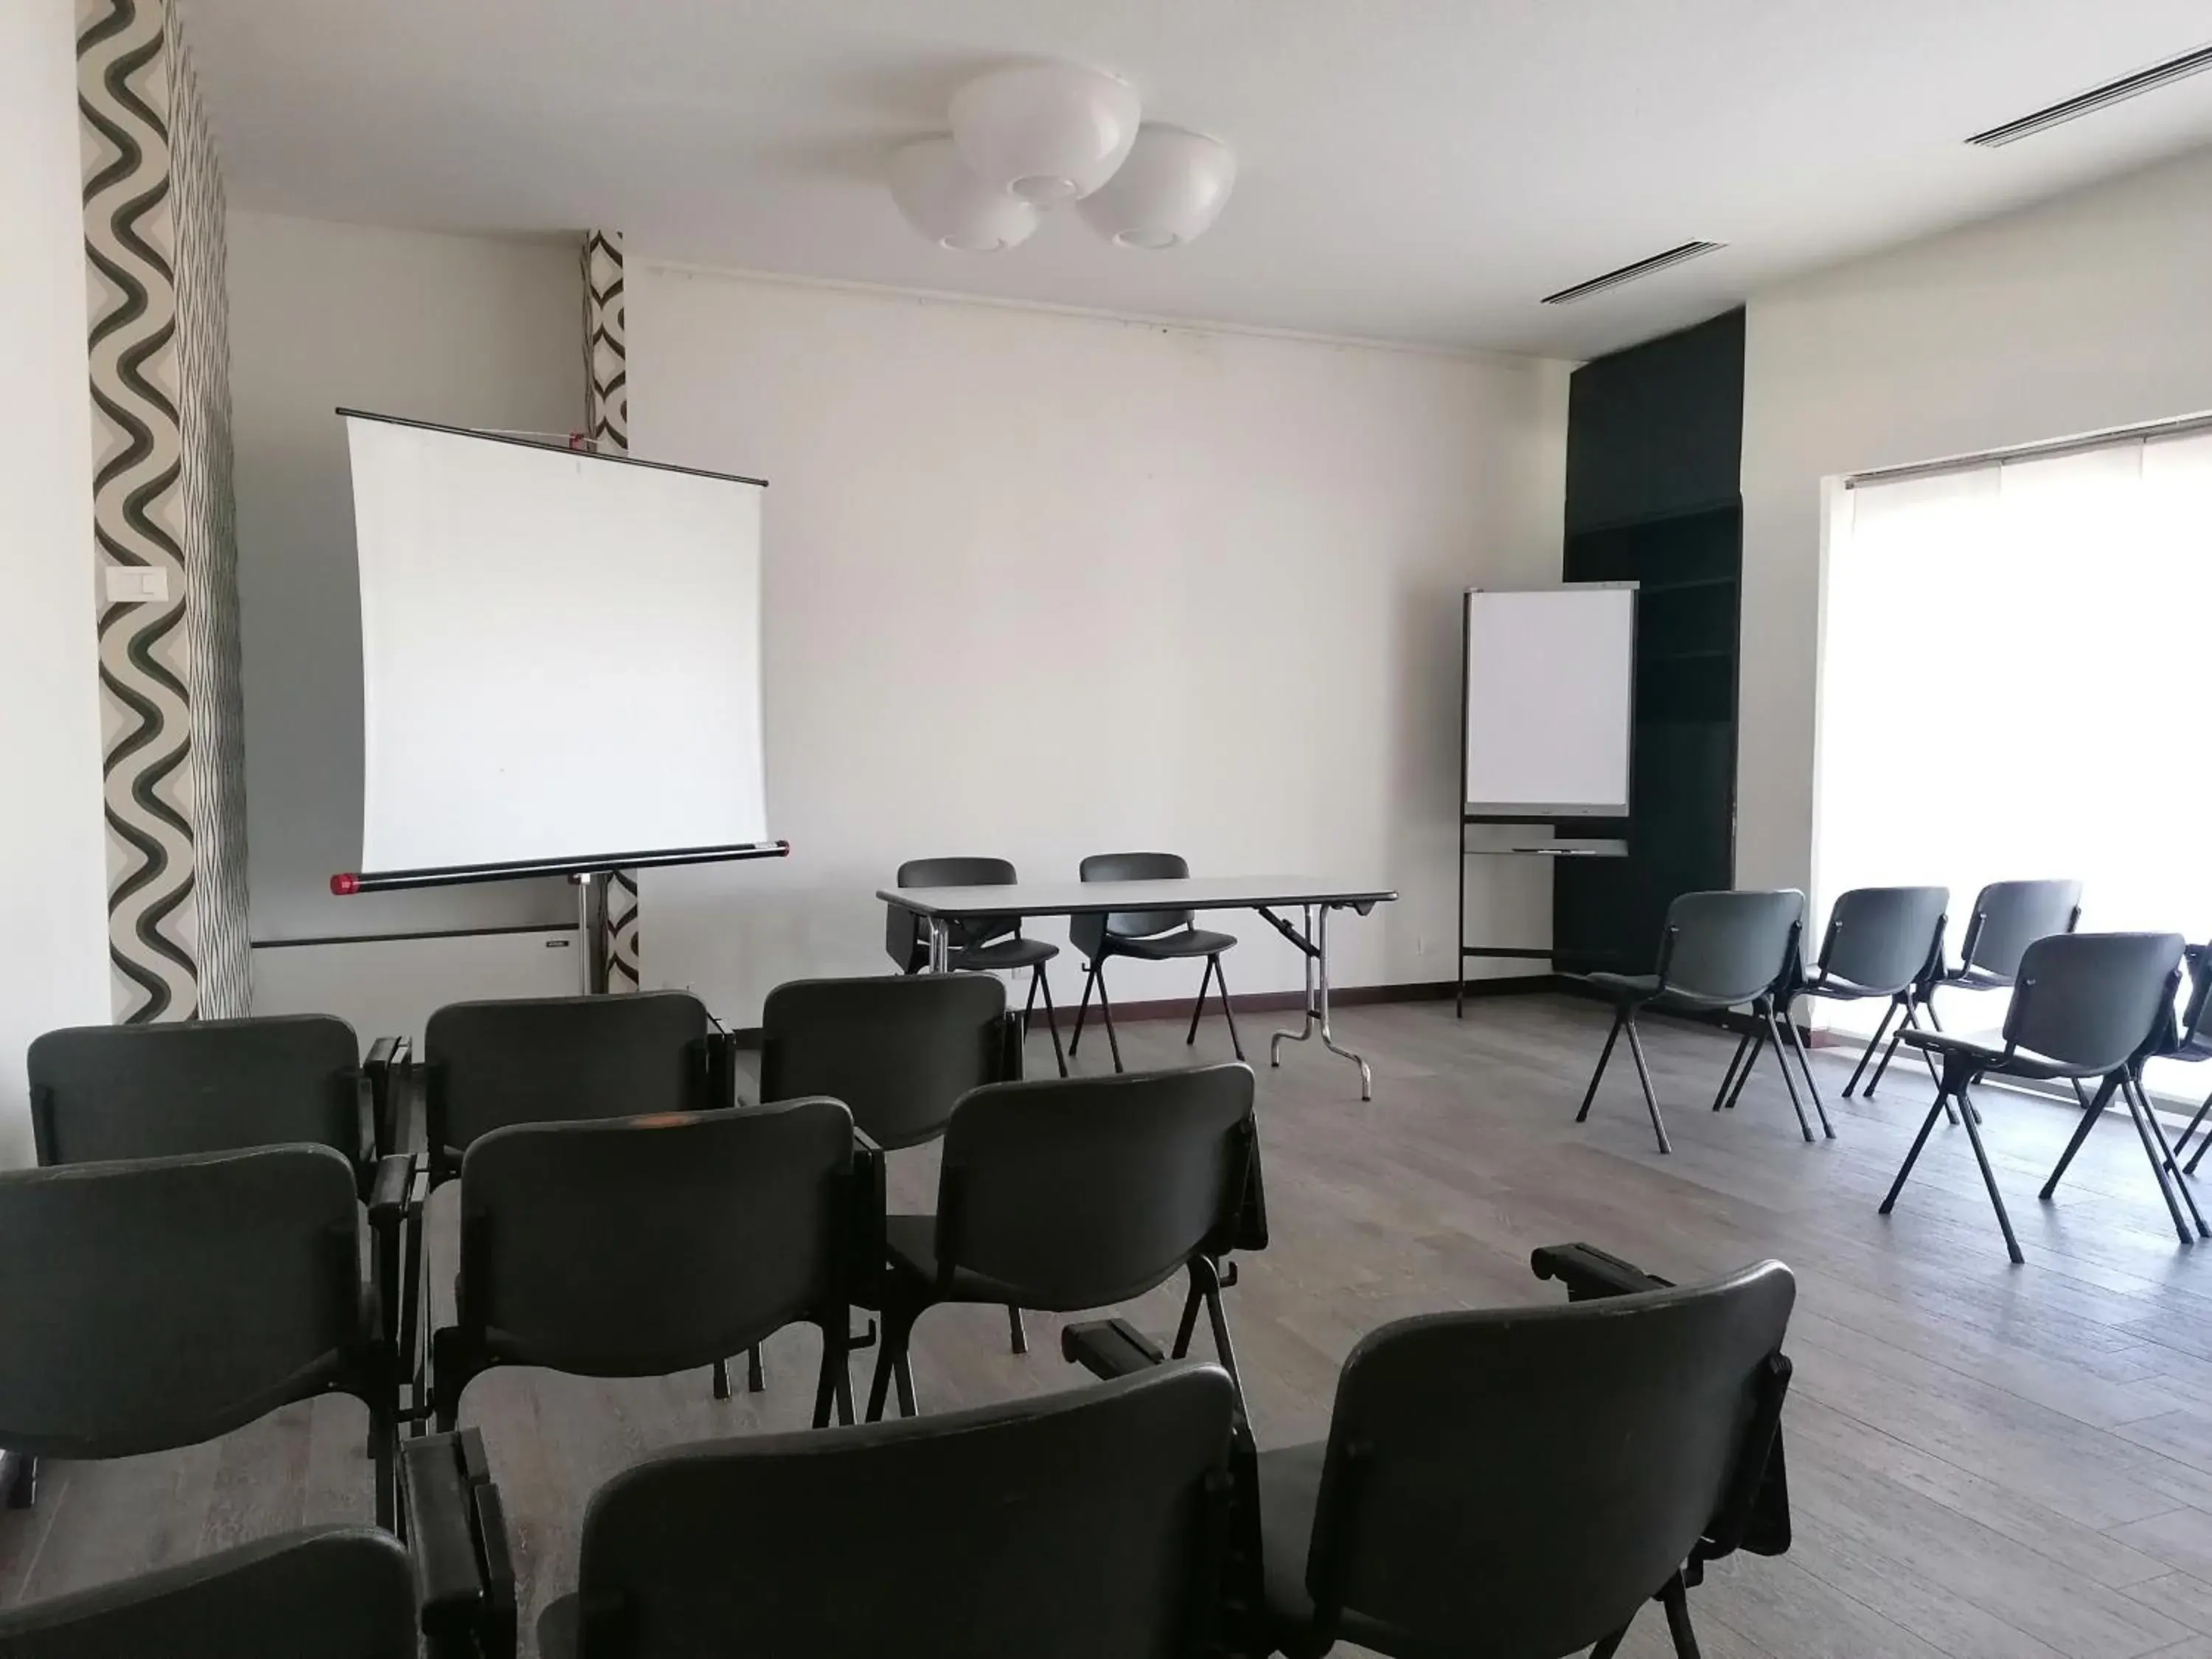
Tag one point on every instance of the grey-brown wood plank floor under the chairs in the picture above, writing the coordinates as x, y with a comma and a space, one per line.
1983, 1459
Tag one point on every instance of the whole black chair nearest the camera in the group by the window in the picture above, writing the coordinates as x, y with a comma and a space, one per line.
2085, 1005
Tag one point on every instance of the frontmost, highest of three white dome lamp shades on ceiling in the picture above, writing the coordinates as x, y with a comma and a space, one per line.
1045, 132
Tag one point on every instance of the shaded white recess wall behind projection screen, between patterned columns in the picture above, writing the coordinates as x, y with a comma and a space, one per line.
466, 331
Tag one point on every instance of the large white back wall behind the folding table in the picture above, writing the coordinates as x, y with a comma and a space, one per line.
1045, 585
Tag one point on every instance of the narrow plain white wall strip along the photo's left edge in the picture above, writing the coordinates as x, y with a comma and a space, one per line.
54, 921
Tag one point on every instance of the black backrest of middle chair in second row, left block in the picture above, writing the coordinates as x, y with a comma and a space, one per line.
654, 1244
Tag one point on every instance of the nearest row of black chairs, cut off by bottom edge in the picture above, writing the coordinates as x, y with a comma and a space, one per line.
1470, 1496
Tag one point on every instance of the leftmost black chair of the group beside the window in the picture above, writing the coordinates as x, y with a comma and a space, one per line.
1718, 952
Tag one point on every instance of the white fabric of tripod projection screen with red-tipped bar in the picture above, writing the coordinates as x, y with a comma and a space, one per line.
561, 654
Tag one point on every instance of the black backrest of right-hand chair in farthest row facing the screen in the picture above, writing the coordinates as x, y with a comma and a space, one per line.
899, 1052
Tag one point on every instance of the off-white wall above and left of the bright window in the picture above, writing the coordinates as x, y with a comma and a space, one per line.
2087, 313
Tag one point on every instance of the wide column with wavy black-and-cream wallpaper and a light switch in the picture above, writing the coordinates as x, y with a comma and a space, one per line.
163, 503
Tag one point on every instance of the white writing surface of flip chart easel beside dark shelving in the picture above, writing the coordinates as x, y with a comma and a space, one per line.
1552, 700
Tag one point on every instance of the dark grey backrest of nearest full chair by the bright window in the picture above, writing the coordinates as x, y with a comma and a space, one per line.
2091, 1001
